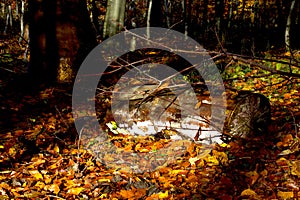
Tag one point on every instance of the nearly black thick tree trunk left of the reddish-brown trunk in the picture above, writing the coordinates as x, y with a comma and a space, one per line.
43, 44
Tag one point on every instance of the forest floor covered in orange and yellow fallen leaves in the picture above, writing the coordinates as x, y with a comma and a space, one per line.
40, 157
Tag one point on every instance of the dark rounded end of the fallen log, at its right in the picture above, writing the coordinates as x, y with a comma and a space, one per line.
250, 116
